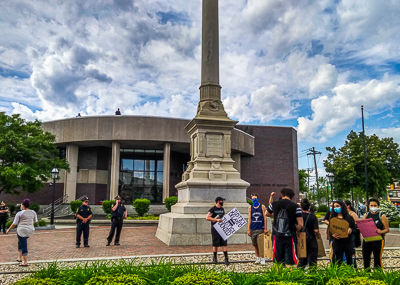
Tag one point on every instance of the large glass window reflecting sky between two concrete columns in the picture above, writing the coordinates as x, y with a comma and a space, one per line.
141, 175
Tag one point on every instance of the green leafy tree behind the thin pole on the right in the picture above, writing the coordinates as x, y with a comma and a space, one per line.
383, 164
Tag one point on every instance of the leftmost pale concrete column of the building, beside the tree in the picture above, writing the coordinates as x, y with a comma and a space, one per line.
71, 177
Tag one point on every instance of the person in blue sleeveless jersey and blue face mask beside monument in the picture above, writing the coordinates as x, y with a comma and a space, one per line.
257, 224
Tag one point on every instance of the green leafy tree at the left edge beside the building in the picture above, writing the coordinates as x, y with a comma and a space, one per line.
27, 155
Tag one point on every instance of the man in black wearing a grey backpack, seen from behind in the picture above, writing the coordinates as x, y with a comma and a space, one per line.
288, 218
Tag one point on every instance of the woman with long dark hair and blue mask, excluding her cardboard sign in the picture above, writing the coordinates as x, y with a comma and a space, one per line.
343, 246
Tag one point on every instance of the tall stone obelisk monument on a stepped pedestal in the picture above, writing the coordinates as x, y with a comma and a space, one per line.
210, 171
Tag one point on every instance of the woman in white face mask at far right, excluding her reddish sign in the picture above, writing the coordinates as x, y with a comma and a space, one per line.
375, 247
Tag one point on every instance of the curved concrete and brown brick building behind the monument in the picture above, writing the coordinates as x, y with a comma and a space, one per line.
145, 157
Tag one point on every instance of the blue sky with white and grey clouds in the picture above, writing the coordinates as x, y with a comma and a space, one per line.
306, 64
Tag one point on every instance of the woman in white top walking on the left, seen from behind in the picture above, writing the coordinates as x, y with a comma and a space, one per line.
24, 220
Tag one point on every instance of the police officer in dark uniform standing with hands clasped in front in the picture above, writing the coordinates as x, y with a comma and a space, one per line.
83, 216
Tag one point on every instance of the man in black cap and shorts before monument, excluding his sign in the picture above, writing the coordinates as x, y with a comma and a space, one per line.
215, 215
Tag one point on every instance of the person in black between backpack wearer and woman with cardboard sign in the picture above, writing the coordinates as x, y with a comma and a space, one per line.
311, 229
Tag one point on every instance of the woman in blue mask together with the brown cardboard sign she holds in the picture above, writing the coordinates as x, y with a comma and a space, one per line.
342, 226
